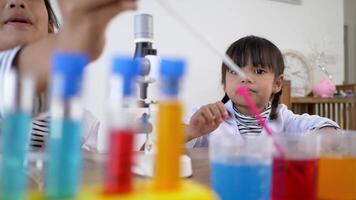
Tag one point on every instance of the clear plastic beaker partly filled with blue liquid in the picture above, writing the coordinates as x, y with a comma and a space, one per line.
241, 168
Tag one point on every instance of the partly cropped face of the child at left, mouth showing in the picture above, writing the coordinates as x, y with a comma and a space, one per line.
22, 22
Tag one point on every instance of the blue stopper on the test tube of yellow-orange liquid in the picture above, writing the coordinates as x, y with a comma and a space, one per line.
171, 72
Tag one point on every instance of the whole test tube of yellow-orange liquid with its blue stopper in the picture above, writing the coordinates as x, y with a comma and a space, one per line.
170, 130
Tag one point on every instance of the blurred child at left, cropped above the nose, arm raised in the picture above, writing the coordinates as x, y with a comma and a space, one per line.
27, 42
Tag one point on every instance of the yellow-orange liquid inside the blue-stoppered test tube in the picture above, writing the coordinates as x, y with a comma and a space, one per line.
169, 146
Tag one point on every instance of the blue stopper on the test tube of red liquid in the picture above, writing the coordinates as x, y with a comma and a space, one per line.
128, 68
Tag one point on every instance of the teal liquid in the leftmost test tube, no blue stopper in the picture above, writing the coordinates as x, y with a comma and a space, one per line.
15, 136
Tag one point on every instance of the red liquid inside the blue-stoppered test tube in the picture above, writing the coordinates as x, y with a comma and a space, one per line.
120, 158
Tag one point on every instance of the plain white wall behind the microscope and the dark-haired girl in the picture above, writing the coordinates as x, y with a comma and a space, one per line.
315, 23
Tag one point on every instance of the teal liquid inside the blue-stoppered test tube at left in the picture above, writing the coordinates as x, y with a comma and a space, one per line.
64, 159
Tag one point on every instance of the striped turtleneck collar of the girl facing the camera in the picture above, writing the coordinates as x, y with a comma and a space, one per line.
249, 125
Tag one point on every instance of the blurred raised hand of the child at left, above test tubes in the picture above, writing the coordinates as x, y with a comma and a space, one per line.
85, 22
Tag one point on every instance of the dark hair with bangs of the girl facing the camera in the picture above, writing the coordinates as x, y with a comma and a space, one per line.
259, 52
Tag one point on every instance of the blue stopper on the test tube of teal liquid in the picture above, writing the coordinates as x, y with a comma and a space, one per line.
70, 66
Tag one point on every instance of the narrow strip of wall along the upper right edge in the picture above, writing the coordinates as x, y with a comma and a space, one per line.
350, 21
